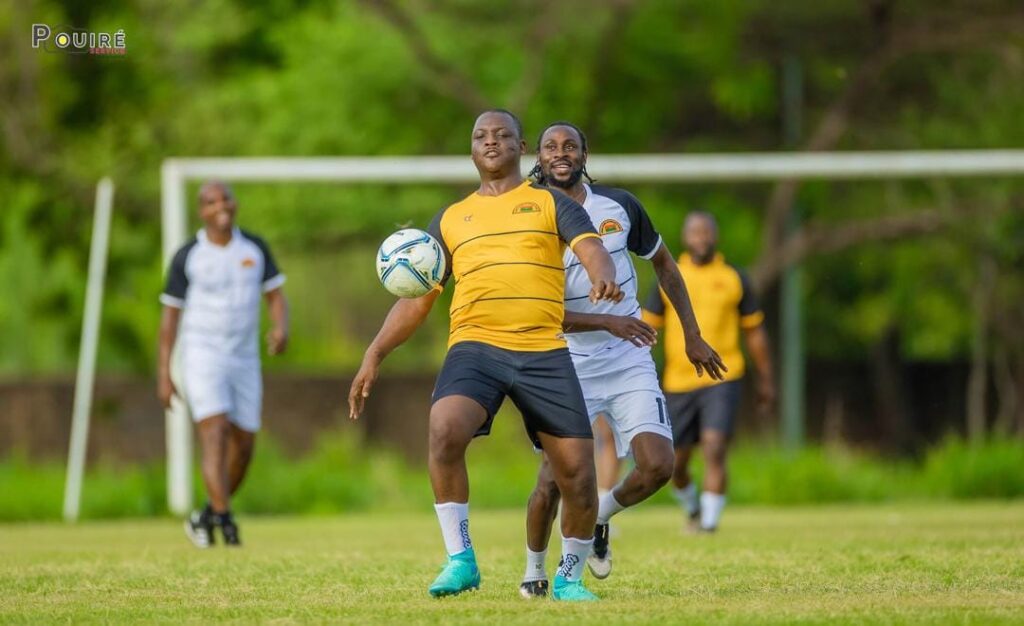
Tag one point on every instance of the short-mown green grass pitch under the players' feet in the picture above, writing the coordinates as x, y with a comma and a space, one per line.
940, 564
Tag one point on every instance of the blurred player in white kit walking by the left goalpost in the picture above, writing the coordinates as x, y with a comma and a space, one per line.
215, 287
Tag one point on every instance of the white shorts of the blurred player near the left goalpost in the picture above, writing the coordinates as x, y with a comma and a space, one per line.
217, 385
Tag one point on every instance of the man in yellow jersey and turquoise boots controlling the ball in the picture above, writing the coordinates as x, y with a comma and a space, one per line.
505, 244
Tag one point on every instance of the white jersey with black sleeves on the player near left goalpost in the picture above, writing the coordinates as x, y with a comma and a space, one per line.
221, 288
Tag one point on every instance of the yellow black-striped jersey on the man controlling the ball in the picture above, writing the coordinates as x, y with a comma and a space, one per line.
506, 256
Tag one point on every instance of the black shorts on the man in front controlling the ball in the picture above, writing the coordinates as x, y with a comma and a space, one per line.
543, 386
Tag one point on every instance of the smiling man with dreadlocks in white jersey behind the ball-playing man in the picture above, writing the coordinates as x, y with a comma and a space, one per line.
611, 350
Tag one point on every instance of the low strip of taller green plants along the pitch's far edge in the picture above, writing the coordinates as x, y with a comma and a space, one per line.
343, 475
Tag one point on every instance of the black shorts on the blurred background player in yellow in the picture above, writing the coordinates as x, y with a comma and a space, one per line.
711, 408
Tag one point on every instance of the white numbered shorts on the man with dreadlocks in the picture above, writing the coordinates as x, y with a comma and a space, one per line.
632, 402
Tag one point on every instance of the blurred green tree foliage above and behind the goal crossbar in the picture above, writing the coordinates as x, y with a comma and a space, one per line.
231, 78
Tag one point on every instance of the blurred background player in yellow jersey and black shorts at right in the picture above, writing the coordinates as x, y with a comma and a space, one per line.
705, 410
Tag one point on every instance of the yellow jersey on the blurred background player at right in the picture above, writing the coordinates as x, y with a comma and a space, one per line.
723, 303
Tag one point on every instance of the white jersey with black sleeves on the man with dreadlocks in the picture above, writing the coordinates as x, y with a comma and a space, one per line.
624, 227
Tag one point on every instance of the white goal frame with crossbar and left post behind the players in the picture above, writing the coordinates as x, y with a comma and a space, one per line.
178, 173
